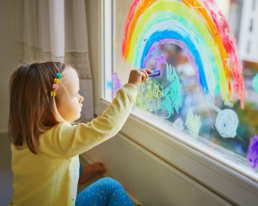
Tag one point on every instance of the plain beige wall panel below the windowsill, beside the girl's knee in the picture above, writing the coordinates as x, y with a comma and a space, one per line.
149, 179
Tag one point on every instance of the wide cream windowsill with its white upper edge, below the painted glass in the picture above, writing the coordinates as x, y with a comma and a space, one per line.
205, 166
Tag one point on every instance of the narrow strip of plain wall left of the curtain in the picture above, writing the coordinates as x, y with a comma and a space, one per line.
7, 57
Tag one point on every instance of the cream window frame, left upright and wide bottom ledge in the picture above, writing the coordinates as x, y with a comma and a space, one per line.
222, 178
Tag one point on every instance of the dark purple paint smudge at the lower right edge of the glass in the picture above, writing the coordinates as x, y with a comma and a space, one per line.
252, 153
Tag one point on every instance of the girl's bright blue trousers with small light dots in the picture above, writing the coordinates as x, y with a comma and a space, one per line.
104, 192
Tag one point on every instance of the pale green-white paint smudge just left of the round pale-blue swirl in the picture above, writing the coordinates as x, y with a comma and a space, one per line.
193, 123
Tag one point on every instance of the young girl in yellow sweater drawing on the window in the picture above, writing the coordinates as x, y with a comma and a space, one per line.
45, 101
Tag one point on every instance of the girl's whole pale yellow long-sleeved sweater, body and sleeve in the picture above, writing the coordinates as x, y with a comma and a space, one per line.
50, 178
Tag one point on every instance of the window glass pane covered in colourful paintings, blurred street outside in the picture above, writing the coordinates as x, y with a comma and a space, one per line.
188, 100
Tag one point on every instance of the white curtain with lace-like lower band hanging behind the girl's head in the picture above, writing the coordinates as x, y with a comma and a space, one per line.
56, 30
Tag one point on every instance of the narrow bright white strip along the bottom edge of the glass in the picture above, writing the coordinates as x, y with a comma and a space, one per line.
200, 144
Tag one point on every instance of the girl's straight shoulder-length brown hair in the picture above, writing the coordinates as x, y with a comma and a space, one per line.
32, 110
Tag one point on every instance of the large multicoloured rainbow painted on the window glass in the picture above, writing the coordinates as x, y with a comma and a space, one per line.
200, 29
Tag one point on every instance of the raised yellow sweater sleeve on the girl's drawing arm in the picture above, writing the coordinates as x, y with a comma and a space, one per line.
74, 140
